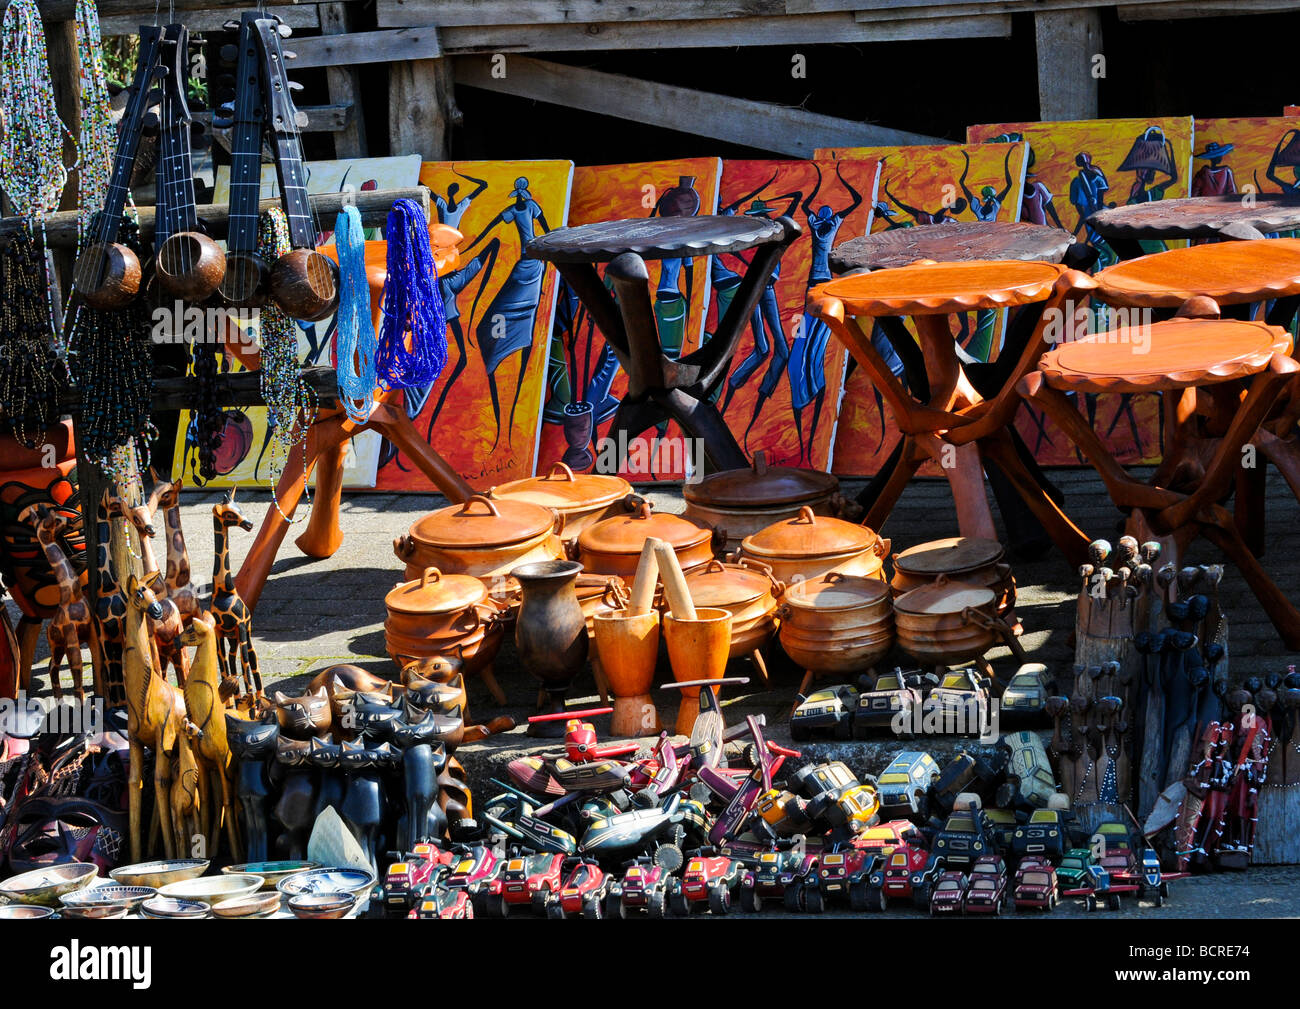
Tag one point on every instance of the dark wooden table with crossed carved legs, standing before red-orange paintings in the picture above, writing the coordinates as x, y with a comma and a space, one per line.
660, 387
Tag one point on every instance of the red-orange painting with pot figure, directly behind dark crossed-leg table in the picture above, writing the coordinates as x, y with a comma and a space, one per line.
586, 382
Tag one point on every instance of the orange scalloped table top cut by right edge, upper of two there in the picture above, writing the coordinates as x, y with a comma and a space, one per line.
1229, 272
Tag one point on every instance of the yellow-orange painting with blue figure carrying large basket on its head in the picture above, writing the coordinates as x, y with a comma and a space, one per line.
1076, 170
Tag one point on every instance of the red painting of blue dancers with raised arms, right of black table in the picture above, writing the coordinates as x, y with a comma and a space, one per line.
783, 392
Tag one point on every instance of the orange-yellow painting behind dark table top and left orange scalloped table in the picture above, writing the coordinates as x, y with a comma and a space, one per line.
920, 188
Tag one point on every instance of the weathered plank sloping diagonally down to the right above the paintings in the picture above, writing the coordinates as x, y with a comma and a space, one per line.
755, 124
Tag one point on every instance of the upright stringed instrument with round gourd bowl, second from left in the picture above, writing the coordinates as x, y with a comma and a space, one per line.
189, 265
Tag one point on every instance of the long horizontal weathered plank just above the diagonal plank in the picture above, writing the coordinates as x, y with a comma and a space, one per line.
729, 33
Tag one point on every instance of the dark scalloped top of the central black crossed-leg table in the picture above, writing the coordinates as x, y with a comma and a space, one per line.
655, 239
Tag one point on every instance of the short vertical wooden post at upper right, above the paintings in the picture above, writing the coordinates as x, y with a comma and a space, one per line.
1069, 44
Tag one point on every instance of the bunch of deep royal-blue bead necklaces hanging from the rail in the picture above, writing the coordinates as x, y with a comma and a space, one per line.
413, 305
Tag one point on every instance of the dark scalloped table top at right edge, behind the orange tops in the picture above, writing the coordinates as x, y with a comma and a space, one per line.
1232, 216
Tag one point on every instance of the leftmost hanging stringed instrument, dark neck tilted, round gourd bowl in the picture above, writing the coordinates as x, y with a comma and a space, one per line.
107, 274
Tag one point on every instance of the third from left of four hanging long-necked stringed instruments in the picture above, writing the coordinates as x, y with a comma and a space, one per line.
248, 274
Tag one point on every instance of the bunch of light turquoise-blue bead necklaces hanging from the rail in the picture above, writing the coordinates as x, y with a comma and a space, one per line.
354, 336
